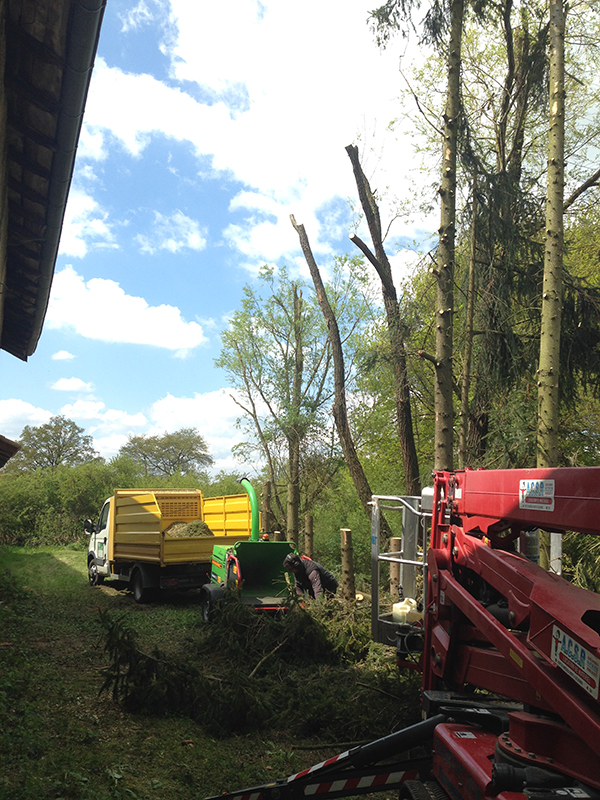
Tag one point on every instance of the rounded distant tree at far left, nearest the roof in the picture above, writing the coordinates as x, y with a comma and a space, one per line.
59, 442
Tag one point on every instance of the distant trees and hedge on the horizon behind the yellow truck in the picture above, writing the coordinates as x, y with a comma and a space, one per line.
57, 479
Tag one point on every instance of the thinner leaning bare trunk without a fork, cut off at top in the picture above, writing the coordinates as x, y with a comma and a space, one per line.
340, 413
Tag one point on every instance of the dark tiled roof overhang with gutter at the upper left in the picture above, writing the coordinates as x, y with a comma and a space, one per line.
50, 50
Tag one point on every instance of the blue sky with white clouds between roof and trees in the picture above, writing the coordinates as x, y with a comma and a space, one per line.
207, 125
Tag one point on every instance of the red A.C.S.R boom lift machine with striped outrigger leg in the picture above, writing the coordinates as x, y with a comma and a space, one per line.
509, 656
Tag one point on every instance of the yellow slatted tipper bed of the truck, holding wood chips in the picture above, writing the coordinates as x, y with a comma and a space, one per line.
141, 517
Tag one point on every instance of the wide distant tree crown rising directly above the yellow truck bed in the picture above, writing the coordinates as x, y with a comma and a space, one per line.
184, 451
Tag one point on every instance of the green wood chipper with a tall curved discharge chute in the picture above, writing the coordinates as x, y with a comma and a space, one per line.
253, 567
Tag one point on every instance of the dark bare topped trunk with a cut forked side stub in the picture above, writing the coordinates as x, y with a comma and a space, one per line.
382, 265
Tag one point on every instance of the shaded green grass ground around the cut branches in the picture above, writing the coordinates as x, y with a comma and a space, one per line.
60, 739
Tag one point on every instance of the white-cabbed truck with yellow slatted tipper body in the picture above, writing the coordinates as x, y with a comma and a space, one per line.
163, 538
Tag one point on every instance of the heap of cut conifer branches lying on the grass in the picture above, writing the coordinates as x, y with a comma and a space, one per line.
311, 672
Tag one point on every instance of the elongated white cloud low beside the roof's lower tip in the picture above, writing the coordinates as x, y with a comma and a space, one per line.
99, 309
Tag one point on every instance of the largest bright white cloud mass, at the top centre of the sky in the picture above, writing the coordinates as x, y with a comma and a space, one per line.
270, 117
